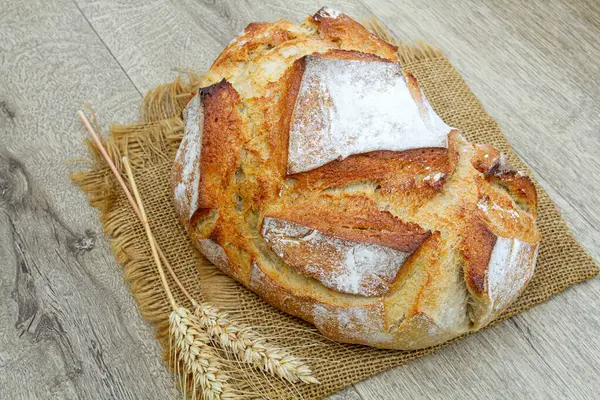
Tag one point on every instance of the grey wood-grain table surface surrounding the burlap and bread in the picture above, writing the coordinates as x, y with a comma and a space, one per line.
70, 328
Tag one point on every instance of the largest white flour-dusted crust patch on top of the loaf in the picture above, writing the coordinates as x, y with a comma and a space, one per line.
352, 106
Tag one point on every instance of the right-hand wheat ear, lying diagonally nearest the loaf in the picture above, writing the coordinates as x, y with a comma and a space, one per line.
249, 347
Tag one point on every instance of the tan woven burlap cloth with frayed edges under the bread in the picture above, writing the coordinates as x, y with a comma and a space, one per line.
151, 145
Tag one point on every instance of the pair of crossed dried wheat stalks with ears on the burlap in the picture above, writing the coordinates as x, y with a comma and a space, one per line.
192, 332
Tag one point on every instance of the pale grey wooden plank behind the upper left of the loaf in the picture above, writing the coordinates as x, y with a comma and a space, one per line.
152, 38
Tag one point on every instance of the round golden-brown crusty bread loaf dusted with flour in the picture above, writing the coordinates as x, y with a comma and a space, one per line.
314, 171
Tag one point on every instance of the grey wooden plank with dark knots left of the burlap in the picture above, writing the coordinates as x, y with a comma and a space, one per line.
69, 328
